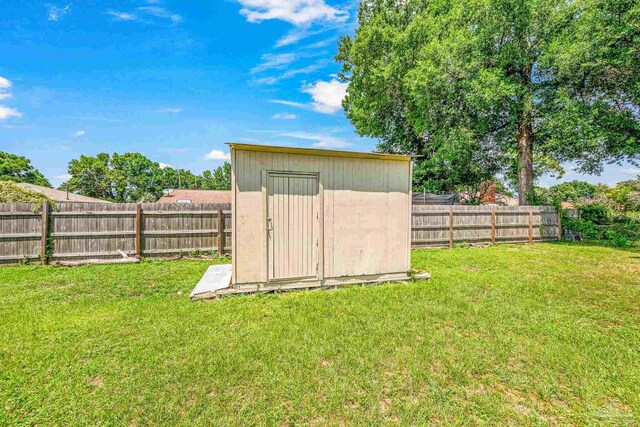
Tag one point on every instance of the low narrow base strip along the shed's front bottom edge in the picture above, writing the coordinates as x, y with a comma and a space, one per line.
329, 283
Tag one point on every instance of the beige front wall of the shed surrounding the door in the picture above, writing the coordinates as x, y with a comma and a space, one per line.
366, 213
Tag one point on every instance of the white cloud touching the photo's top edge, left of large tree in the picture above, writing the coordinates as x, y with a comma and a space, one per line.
296, 12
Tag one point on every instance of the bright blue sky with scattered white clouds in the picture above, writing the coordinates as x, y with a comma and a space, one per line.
175, 80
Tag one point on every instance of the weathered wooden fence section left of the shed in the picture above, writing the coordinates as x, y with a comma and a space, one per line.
75, 231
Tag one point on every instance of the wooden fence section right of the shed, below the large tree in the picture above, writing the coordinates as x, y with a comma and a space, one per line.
443, 226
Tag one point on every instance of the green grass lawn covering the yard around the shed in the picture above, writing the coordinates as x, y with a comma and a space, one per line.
538, 334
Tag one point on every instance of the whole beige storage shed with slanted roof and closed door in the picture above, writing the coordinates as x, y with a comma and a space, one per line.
309, 218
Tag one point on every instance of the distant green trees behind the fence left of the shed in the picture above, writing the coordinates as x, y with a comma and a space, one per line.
125, 178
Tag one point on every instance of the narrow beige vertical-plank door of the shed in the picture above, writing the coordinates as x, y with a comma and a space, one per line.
293, 226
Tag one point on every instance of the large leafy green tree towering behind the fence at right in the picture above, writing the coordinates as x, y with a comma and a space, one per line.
525, 85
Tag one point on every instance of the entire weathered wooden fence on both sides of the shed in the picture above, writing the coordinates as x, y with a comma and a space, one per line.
76, 231
